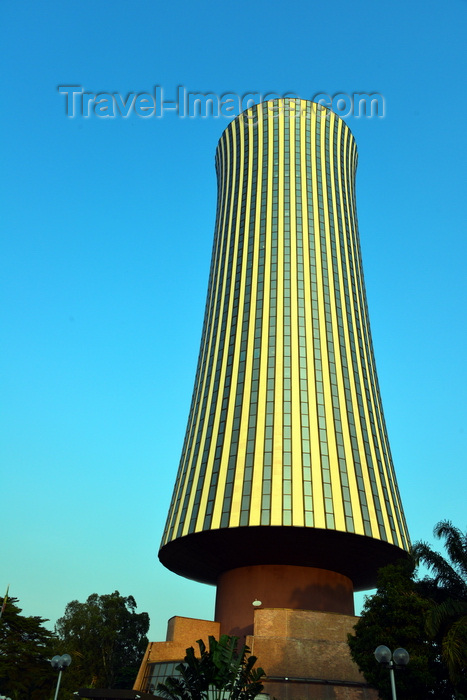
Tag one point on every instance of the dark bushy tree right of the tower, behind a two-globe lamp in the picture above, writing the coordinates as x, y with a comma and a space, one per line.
395, 616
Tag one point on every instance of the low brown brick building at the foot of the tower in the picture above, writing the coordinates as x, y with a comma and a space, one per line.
303, 652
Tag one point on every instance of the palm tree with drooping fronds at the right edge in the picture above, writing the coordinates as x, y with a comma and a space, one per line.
447, 618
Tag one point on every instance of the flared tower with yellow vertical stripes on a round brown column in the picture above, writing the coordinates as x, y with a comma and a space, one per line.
286, 489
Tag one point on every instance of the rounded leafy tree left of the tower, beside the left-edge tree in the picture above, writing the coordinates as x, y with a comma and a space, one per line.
106, 639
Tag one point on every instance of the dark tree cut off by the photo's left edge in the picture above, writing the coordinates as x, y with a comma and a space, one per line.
26, 647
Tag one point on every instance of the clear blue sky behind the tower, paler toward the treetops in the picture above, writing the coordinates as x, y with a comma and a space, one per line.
107, 228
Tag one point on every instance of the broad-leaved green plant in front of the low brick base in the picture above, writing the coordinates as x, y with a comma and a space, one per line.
221, 671
